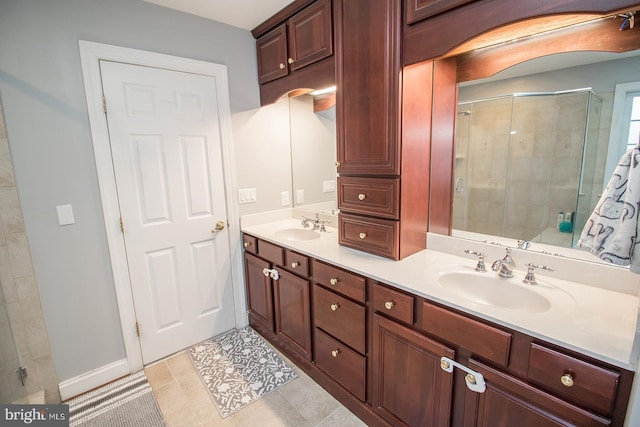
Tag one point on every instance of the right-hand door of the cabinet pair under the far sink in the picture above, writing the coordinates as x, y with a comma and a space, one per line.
292, 313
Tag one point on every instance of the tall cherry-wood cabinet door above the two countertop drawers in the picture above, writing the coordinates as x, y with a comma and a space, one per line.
368, 76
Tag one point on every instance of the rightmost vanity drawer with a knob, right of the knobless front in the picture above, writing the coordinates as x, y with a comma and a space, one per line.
573, 379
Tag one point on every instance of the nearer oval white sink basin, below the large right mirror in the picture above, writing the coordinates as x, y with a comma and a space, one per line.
492, 291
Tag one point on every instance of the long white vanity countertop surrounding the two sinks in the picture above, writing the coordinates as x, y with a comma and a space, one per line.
595, 321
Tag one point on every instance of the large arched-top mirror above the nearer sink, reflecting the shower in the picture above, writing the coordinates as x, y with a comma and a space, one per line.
533, 146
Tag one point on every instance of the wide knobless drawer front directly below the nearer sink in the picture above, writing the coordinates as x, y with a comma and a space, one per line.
481, 339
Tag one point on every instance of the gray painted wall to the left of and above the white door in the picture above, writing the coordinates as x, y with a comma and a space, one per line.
48, 128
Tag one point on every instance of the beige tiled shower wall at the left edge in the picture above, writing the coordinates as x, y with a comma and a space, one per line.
21, 302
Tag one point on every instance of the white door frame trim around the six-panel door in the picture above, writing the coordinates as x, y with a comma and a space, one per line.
90, 54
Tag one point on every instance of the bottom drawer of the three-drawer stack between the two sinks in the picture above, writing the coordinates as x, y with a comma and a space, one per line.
344, 365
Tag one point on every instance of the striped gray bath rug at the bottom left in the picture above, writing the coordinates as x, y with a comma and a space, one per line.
127, 402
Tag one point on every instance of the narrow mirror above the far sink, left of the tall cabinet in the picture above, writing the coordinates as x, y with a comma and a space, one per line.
313, 154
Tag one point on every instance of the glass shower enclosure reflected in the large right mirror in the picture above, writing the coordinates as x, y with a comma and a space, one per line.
526, 165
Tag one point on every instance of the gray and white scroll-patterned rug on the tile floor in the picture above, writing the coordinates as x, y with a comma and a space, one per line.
239, 368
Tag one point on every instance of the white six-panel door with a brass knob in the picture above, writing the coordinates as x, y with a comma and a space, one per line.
164, 130
